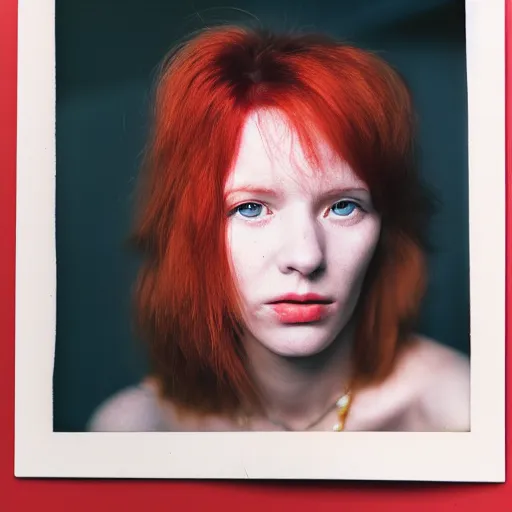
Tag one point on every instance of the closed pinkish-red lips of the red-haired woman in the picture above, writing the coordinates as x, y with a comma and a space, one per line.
297, 309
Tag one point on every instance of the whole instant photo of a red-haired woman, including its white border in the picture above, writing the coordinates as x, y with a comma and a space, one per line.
261, 242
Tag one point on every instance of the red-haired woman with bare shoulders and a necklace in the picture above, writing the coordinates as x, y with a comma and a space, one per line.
283, 229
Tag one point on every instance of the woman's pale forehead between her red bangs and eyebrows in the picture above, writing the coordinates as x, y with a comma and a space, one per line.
271, 155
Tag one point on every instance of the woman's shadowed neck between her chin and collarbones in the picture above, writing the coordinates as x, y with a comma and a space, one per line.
297, 391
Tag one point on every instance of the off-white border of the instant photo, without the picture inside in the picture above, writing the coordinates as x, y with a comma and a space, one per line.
478, 455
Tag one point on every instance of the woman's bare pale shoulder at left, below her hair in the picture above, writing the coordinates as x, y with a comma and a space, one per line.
133, 409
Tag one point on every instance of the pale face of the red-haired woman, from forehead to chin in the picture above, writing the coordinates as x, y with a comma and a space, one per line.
299, 239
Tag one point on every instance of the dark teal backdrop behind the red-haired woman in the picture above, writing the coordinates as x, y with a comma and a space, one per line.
107, 54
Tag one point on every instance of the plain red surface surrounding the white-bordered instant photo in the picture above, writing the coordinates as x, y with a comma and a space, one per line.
20, 495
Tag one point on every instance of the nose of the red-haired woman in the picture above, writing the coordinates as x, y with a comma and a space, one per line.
302, 248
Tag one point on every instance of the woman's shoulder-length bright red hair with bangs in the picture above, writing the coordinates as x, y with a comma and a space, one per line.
186, 300
